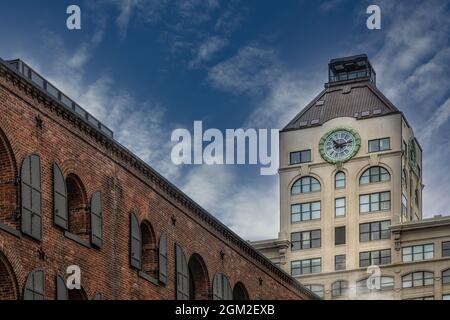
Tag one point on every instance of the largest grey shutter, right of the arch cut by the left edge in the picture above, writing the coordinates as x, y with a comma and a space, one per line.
31, 197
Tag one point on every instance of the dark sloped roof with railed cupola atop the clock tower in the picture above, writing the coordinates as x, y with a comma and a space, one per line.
350, 92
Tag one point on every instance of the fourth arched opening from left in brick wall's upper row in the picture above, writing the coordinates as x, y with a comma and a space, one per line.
200, 283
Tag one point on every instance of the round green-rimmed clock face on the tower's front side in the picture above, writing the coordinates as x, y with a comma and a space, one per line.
339, 145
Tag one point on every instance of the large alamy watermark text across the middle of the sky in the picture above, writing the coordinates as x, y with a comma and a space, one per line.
236, 146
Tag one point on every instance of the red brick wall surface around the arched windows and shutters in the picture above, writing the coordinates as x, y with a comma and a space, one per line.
125, 186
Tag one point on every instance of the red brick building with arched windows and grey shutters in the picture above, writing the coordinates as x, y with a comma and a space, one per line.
71, 195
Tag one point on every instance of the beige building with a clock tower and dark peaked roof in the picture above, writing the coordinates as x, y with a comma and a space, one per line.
351, 197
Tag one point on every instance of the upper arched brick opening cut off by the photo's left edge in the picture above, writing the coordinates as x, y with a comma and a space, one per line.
9, 191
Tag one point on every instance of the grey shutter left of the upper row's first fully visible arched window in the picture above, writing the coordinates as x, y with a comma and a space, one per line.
60, 214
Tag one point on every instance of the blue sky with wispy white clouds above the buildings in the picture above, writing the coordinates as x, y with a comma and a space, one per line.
147, 67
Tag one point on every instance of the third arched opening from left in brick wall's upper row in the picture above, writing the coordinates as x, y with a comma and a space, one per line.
149, 252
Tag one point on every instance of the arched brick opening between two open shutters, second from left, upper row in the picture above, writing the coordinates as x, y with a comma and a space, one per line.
79, 217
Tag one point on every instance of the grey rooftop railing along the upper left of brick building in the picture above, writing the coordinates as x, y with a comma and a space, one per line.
22, 68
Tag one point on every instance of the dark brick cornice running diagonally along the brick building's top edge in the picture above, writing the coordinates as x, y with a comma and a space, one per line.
115, 149
